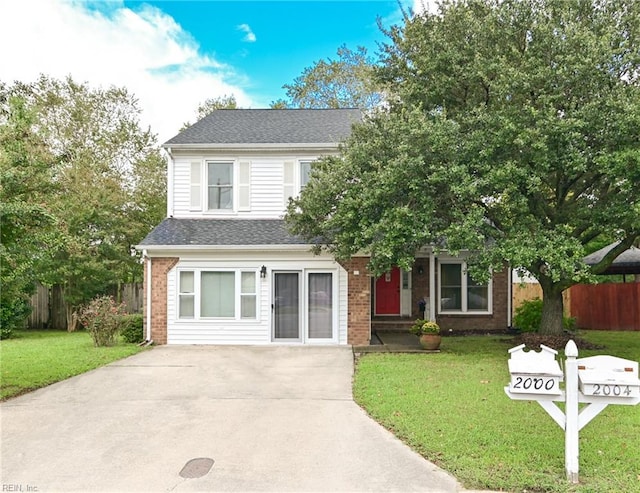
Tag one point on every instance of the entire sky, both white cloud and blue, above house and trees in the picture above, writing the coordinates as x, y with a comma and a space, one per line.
172, 55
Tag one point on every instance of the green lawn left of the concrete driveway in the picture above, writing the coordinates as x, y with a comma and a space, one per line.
37, 358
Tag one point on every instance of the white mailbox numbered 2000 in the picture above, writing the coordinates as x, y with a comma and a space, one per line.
534, 372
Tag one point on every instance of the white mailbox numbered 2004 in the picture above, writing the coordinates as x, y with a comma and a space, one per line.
609, 378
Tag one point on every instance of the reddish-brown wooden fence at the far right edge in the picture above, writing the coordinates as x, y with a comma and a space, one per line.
608, 306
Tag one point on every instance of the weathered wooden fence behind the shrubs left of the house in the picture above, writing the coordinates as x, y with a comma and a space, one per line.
49, 311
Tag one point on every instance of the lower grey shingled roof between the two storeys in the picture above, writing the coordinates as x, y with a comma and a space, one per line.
220, 232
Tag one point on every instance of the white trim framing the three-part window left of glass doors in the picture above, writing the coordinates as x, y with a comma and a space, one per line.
197, 272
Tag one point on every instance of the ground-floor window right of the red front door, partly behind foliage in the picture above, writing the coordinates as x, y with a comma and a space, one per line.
459, 292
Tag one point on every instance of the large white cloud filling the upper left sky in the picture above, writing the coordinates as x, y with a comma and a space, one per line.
106, 44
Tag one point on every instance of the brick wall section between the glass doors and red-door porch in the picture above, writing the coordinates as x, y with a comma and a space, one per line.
359, 300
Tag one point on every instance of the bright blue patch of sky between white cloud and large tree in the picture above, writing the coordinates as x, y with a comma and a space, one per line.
271, 43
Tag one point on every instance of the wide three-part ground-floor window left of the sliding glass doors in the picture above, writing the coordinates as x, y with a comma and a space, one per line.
228, 294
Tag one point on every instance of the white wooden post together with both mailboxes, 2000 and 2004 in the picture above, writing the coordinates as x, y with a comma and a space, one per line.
596, 381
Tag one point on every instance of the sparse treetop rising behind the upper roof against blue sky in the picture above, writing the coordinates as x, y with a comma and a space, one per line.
343, 83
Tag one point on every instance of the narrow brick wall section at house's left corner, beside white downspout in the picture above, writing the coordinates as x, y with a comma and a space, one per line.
160, 266
